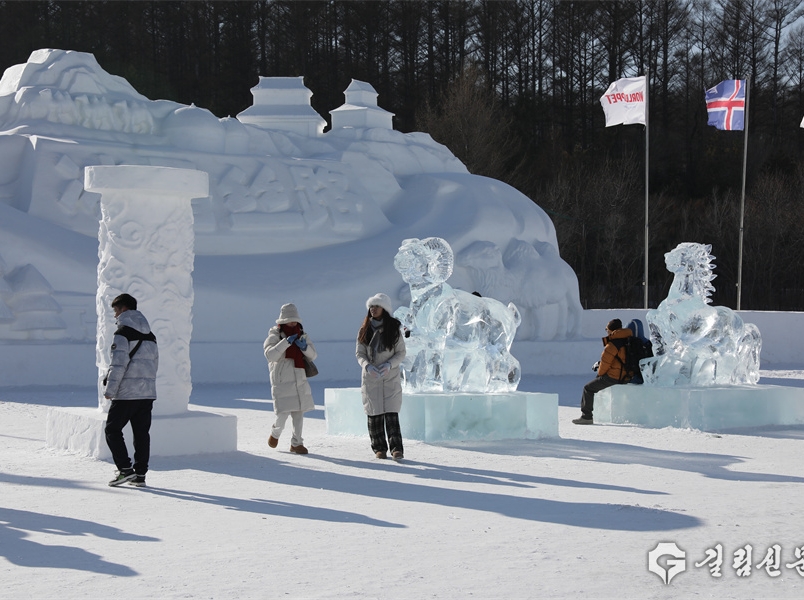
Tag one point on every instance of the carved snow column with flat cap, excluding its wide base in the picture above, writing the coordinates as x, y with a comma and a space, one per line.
146, 250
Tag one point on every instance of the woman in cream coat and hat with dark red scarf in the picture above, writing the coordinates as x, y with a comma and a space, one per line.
285, 349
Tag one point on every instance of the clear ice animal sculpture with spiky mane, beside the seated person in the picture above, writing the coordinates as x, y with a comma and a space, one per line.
693, 343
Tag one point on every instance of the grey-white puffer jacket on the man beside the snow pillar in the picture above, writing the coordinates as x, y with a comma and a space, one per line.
135, 378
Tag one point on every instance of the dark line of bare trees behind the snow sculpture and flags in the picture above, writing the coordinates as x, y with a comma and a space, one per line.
513, 89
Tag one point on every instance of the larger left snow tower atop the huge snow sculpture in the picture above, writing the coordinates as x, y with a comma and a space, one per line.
283, 103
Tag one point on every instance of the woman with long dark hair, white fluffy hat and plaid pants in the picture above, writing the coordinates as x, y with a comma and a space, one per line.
380, 351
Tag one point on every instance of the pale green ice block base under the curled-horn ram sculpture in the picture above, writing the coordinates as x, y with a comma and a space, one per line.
459, 416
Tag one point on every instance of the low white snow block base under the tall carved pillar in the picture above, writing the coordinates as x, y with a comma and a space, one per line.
81, 430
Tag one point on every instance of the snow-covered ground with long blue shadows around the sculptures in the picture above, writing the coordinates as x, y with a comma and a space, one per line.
570, 517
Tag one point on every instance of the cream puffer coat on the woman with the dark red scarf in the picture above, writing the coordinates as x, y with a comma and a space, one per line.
289, 387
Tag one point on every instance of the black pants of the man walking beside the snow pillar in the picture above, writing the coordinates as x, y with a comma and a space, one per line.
138, 413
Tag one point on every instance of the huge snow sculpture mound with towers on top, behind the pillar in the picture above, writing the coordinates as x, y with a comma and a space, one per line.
278, 187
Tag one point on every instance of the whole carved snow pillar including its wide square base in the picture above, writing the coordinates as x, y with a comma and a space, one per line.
146, 250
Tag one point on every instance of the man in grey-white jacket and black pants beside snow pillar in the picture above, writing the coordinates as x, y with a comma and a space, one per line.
131, 386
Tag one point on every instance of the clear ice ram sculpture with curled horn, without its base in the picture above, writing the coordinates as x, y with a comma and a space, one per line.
459, 342
